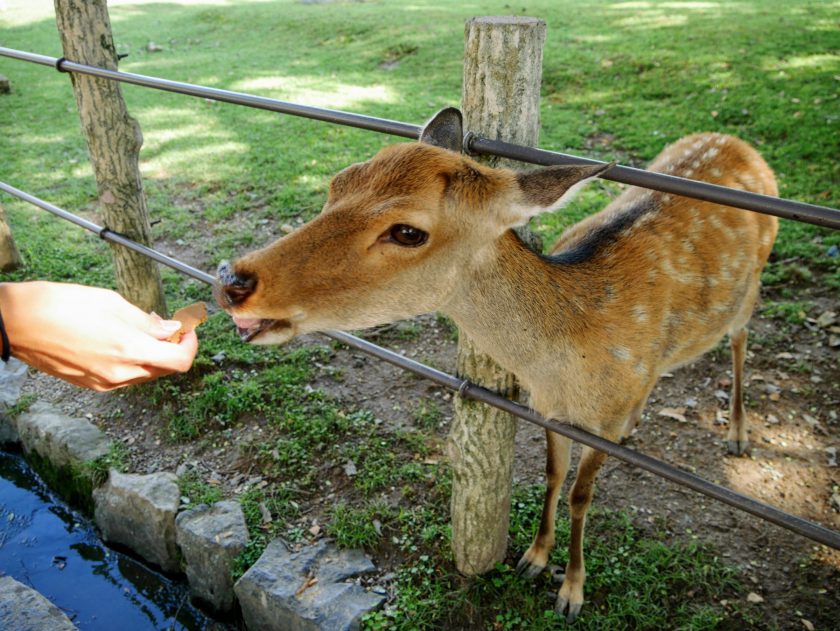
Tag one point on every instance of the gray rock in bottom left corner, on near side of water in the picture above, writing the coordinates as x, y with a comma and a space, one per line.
24, 609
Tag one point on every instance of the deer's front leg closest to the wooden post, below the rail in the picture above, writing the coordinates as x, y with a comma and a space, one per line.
558, 451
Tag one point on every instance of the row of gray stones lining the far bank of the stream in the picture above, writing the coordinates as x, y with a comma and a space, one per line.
313, 589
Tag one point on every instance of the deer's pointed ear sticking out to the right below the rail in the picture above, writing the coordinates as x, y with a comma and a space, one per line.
551, 188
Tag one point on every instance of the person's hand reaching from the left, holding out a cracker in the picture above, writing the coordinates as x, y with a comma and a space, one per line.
89, 336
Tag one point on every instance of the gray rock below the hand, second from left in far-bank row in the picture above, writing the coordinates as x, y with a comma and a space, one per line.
61, 439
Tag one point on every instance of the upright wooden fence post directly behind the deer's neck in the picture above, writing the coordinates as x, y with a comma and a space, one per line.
500, 101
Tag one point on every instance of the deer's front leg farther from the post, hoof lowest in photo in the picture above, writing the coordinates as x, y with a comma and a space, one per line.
570, 597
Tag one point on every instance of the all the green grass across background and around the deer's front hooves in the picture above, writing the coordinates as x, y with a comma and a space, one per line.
620, 80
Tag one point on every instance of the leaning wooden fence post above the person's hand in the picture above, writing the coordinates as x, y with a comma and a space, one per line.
114, 140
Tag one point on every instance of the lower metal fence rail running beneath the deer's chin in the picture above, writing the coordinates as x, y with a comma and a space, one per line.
470, 390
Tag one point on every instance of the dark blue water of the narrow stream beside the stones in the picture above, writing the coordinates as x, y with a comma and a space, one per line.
48, 546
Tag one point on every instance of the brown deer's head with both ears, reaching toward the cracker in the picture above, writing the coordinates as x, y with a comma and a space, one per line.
396, 238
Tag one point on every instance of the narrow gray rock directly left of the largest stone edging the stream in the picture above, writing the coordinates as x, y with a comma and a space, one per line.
210, 538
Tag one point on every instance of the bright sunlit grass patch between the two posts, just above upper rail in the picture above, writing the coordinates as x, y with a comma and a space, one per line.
301, 90
